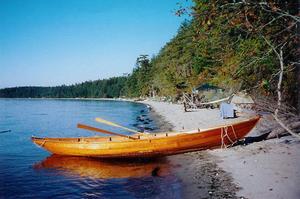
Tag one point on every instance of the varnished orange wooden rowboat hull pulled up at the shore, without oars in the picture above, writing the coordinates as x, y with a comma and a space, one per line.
148, 145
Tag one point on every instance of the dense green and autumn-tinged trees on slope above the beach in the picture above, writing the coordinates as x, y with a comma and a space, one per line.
224, 44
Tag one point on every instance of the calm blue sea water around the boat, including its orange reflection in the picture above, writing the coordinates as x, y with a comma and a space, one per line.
27, 171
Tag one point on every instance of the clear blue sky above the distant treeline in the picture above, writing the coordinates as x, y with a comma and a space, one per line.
54, 42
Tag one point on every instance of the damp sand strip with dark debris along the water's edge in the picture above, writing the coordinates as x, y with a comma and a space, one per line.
198, 172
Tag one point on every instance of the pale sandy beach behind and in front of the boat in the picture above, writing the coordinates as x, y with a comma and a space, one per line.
266, 169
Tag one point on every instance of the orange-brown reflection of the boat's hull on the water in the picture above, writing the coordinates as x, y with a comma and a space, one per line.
105, 169
